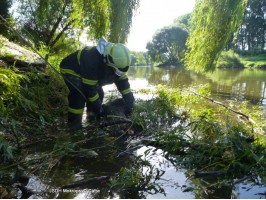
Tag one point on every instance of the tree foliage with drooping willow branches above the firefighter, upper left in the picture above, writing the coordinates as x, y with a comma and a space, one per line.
62, 22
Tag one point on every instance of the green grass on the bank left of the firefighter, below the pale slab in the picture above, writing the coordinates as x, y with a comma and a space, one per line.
30, 102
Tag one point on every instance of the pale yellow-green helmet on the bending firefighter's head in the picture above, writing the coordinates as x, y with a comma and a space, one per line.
117, 56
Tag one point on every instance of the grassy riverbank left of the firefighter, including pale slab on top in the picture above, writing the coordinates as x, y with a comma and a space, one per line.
33, 97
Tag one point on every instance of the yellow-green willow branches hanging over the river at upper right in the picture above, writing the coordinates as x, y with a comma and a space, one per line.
213, 22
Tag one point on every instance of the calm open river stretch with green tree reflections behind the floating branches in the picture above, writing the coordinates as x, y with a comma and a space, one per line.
226, 84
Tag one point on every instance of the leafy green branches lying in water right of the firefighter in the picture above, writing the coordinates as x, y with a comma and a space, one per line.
221, 142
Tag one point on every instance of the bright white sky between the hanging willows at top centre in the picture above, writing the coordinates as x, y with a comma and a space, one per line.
153, 15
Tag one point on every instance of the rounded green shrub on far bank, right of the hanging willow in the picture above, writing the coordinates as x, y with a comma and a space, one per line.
229, 59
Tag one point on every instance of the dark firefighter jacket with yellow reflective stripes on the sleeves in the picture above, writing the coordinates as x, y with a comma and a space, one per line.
88, 65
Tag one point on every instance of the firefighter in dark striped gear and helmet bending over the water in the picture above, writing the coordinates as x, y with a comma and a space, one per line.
88, 70
